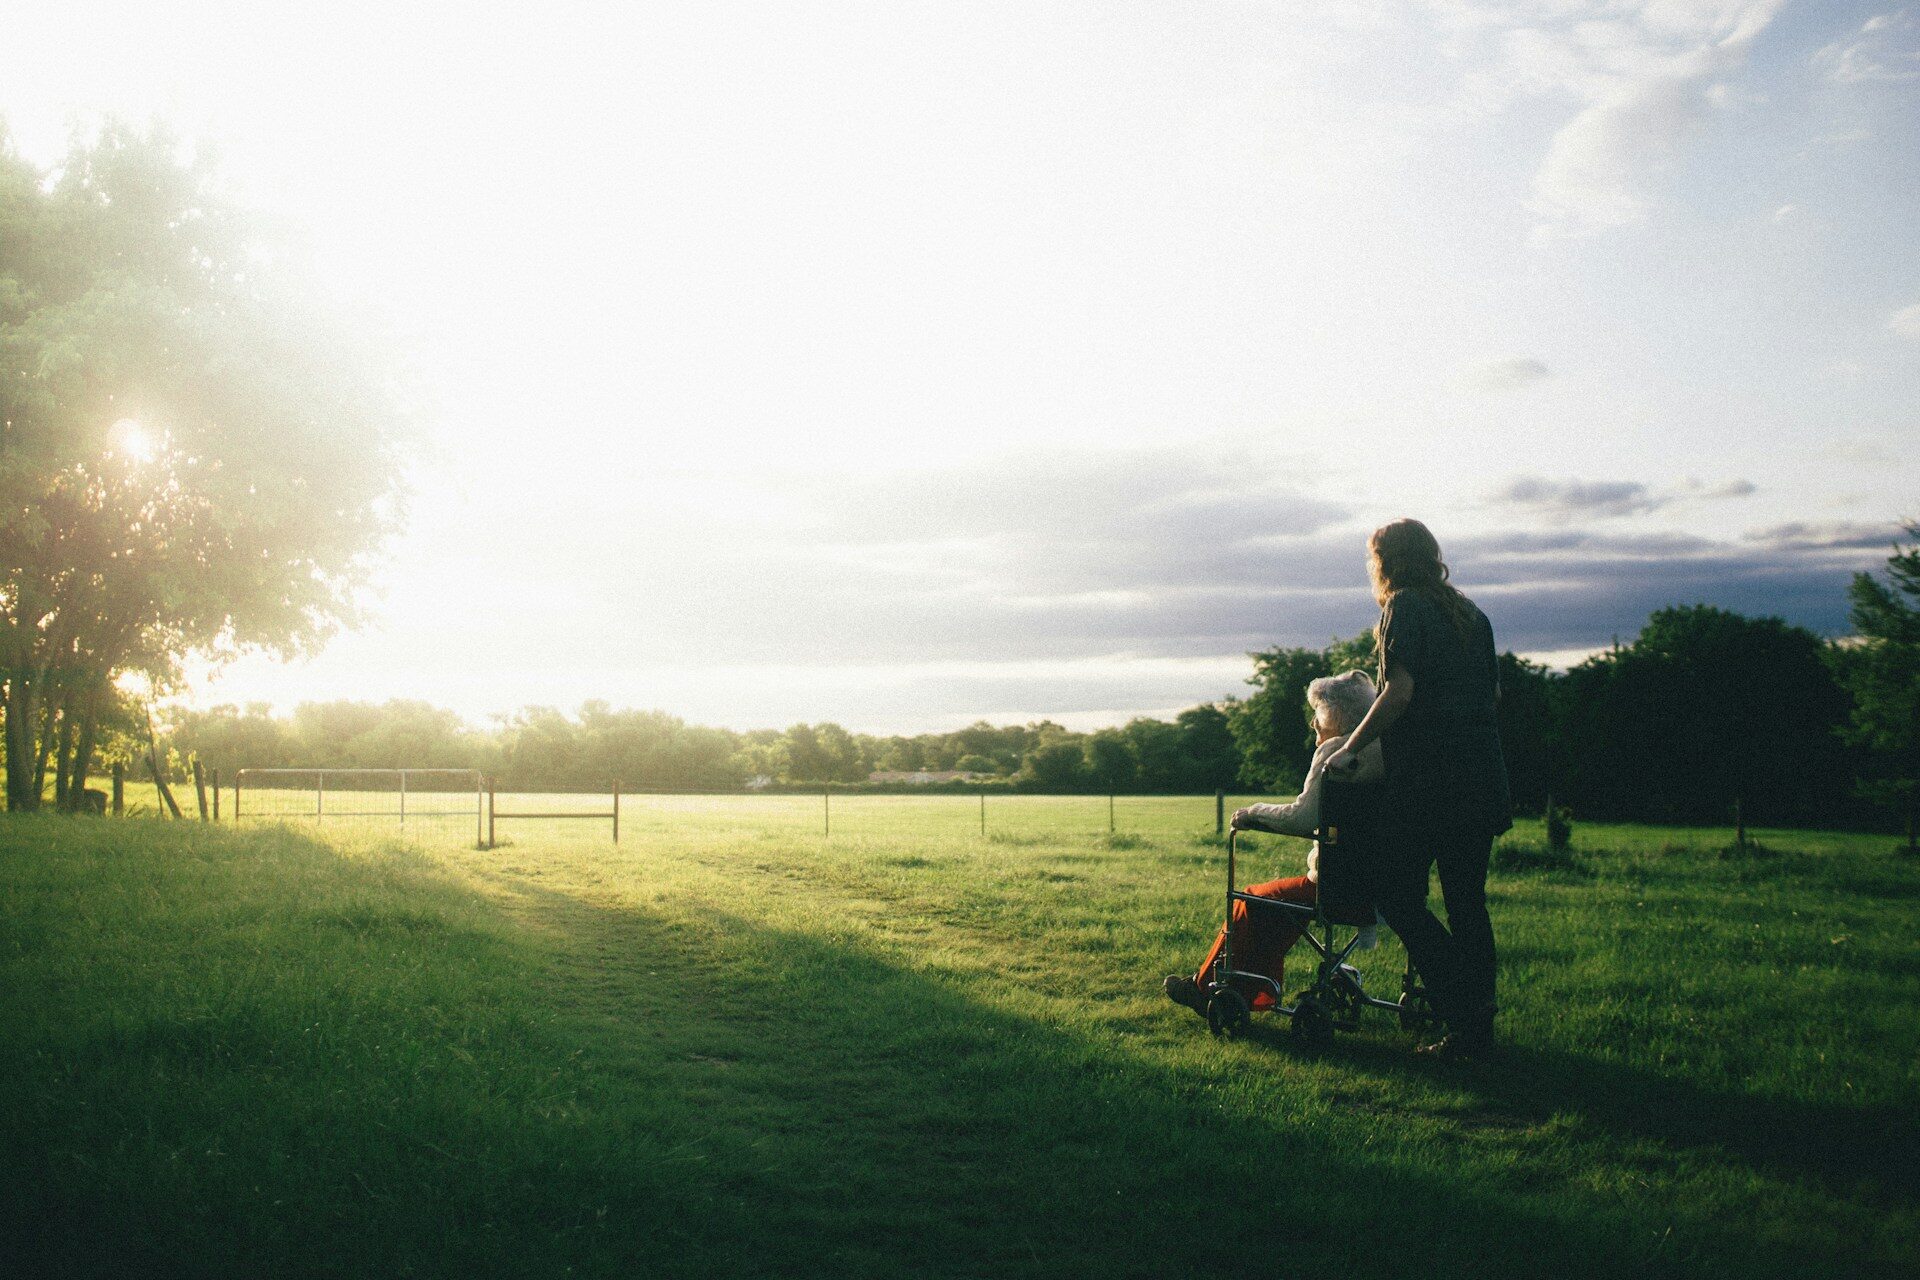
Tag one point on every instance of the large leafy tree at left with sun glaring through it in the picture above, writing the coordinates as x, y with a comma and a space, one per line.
193, 456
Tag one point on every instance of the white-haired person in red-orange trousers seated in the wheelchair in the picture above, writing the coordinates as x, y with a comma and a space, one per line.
1260, 943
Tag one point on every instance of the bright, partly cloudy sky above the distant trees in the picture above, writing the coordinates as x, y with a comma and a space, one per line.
919, 362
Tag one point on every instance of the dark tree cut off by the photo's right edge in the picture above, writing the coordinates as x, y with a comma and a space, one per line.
1883, 680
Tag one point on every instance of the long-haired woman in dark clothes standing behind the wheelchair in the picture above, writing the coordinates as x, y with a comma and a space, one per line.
1445, 790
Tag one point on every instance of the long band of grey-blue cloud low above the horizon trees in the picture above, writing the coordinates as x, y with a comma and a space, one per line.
1164, 556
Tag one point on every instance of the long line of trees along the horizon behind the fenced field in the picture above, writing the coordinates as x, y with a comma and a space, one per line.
1702, 717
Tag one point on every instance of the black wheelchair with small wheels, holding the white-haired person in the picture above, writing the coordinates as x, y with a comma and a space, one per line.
1335, 1001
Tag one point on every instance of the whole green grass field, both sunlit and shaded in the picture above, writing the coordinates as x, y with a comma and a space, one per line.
732, 1047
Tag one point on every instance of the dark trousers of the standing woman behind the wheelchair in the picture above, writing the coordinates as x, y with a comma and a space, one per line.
1456, 960
